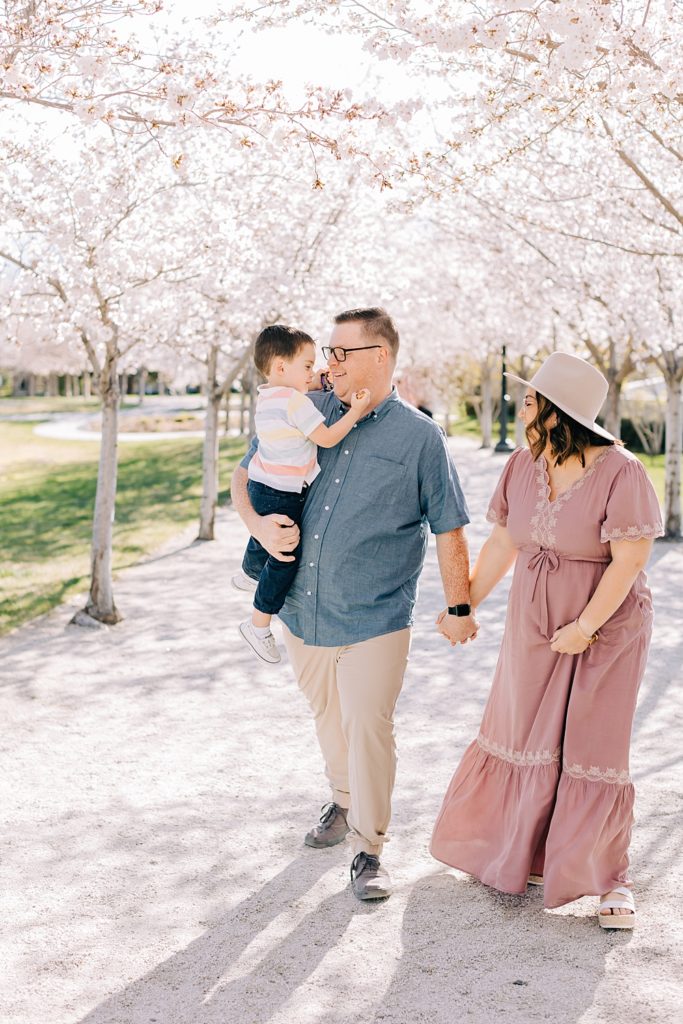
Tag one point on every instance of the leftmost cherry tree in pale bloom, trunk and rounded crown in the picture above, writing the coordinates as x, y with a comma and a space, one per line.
93, 271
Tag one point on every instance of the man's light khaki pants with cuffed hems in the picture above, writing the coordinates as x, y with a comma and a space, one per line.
353, 693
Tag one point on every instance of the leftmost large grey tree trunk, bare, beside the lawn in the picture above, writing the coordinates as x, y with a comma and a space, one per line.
101, 601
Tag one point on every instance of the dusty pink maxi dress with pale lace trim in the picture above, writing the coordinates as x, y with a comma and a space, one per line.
545, 788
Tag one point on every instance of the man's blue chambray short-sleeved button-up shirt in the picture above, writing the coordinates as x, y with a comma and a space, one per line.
366, 524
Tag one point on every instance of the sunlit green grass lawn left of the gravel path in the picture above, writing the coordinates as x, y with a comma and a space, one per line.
48, 491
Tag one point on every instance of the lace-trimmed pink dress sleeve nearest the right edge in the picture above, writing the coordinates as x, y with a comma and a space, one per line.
633, 510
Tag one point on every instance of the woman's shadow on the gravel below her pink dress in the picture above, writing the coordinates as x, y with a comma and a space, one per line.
472, 954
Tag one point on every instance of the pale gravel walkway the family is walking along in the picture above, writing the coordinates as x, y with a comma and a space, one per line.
156, 786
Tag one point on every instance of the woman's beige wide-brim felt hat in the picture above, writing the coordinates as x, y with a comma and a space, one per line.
575, 387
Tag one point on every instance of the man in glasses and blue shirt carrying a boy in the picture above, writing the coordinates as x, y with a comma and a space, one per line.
348, 618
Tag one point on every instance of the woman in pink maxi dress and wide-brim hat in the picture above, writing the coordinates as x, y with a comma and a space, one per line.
544, 794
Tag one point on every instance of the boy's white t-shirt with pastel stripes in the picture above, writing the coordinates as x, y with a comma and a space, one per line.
286, 459
